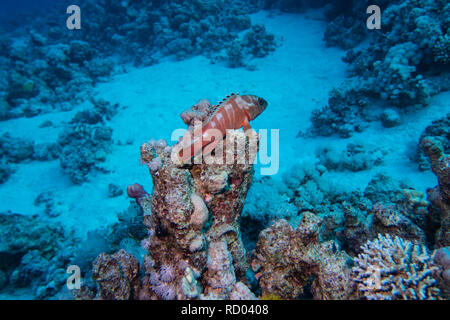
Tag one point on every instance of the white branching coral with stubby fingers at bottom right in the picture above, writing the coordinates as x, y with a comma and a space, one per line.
395, 269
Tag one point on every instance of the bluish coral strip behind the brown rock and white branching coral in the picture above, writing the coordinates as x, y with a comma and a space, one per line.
385, 206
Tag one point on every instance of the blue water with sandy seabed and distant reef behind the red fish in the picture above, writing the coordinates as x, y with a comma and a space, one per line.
347, 108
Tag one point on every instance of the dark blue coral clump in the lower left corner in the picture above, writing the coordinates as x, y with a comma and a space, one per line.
34, 254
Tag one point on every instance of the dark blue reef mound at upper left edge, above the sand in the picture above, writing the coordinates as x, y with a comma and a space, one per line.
46, 75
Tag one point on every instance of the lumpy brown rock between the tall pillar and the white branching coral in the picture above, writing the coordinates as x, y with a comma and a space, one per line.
287, 260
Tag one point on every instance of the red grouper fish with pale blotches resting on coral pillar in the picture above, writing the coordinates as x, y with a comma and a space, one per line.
234, 112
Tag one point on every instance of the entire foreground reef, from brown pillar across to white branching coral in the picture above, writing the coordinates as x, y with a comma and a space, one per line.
324, 244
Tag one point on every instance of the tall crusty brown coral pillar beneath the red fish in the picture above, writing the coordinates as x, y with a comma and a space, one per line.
194, 243
